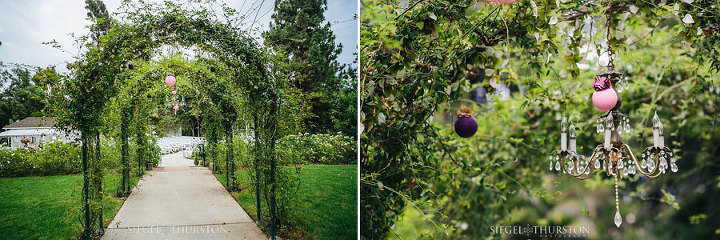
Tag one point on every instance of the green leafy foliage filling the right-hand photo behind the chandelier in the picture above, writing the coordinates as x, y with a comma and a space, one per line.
420, 60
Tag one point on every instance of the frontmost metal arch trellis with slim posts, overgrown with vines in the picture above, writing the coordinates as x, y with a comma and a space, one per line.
96, 71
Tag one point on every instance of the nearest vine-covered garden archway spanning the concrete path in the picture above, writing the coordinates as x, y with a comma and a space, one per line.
100, 71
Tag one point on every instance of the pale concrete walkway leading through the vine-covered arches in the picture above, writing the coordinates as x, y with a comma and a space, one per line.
177, 201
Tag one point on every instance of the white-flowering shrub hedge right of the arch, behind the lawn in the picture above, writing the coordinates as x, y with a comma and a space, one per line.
317, 148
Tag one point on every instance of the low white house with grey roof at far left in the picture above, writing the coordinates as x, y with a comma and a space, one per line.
36, 129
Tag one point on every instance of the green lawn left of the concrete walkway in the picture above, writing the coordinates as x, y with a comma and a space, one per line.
49, 207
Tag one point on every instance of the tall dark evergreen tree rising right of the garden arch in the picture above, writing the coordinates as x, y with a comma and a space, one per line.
298, 31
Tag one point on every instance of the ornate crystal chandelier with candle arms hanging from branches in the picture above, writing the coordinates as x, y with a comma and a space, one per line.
613, 156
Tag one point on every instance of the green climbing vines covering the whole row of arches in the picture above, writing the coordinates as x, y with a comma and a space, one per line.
101, 76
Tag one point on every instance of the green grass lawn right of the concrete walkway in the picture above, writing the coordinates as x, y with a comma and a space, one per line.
326, 205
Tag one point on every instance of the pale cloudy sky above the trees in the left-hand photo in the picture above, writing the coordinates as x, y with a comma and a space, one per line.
26, 24
